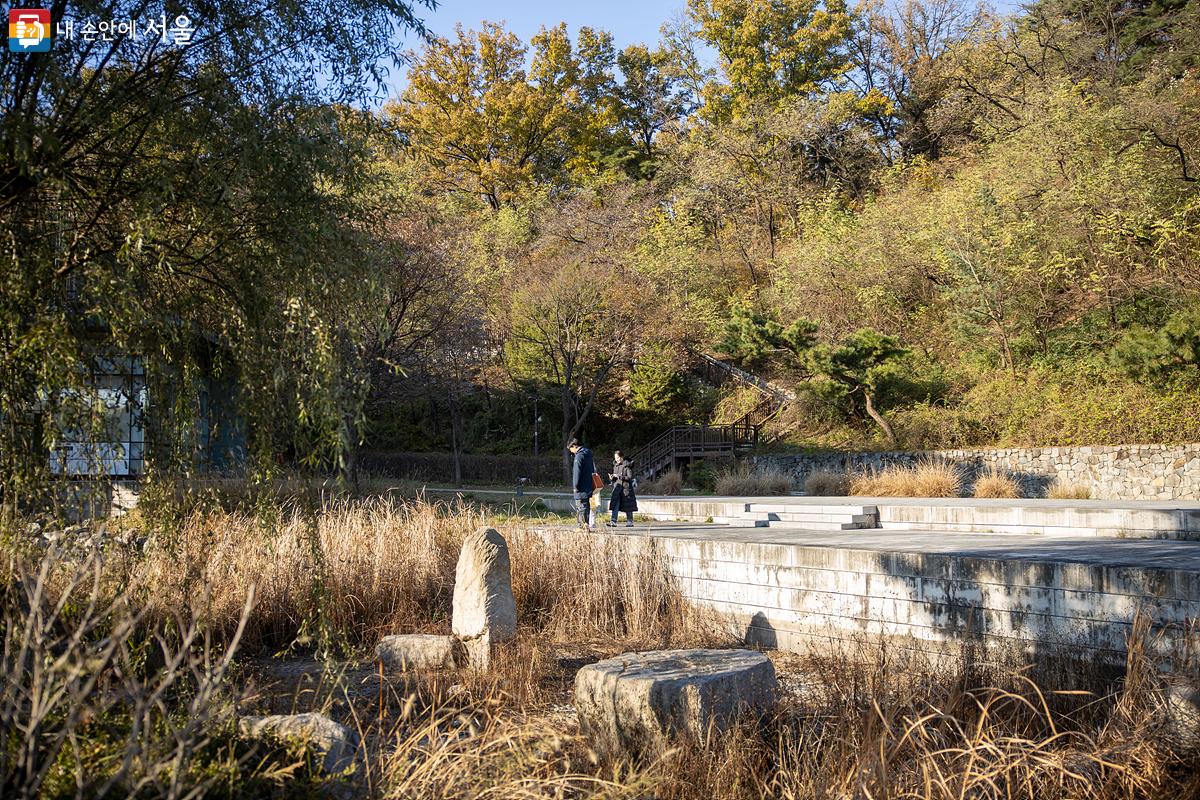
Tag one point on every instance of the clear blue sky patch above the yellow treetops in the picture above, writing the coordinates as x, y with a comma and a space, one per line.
631, 22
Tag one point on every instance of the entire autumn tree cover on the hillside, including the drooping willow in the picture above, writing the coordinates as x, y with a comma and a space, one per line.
937, 225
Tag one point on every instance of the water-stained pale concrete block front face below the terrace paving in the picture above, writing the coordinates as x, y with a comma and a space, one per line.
795, 598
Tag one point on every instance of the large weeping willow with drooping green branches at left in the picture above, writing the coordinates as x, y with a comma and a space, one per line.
152, 194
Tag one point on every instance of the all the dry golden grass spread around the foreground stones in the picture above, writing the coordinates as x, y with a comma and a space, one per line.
879, 723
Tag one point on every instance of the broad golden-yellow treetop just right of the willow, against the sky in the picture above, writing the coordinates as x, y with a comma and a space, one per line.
487, 127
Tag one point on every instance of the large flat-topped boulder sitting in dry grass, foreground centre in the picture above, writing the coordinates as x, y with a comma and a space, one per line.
638, 703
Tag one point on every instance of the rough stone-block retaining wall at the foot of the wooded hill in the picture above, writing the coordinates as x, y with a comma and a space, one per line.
1121, 473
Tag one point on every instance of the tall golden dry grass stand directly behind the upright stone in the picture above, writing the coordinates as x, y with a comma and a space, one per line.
359, 570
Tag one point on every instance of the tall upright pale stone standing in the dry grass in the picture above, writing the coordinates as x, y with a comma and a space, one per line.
484, 610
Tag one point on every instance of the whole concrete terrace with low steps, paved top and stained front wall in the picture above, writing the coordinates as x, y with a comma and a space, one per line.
796, 585
